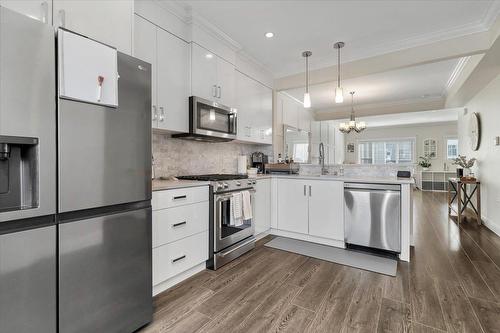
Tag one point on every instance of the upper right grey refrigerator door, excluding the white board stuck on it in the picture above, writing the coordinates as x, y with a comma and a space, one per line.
105, 153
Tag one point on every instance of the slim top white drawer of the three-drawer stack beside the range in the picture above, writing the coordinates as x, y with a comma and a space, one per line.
179, 197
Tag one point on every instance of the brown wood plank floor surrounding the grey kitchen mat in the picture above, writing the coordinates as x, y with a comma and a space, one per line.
451, 285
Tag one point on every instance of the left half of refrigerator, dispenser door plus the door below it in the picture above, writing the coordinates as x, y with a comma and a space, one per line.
27, 175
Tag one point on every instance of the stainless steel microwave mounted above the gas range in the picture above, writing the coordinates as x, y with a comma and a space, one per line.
210, 121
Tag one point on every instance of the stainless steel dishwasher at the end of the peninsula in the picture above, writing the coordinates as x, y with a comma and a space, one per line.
373, 216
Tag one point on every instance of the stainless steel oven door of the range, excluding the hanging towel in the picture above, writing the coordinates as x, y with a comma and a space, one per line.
226, 231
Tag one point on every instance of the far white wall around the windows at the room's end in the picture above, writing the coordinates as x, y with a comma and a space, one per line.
421, 132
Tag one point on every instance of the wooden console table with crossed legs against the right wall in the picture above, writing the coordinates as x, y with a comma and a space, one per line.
457, 189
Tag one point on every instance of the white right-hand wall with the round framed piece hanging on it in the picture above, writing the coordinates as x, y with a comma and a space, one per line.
487, 104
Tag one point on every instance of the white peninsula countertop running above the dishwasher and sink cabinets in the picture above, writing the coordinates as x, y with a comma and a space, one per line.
353, 179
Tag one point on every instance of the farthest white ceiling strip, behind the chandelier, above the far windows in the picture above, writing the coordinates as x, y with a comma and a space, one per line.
412, 118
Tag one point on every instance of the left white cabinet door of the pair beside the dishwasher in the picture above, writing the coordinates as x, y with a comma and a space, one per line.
293, 205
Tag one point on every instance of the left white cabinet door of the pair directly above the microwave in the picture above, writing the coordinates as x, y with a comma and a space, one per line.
203, 73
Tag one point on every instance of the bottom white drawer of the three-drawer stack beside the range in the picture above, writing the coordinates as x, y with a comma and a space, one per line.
177, 257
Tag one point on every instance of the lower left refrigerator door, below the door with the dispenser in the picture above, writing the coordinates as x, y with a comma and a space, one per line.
28, 281
